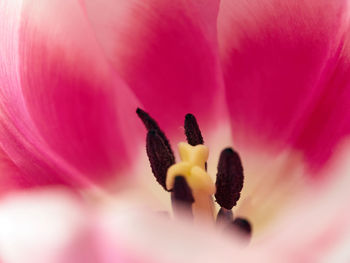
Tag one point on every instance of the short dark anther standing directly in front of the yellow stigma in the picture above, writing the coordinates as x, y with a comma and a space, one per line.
181, 196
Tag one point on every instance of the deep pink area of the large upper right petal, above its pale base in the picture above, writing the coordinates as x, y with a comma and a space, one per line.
285, 70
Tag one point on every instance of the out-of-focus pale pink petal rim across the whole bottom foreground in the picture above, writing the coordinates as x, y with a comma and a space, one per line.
54, 225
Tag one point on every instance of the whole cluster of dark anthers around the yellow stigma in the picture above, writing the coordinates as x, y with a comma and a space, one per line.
191, 187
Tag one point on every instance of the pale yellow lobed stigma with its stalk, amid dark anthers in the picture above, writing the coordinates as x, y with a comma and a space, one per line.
192, 167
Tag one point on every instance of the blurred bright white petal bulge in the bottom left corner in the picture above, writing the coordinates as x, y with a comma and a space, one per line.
41, 225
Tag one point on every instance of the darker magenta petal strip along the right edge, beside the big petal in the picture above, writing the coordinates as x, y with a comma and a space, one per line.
330, 119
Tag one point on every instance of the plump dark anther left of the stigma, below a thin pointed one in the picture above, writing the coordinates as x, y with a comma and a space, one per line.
159, 156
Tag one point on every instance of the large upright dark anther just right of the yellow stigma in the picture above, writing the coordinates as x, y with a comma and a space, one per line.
229, 179
